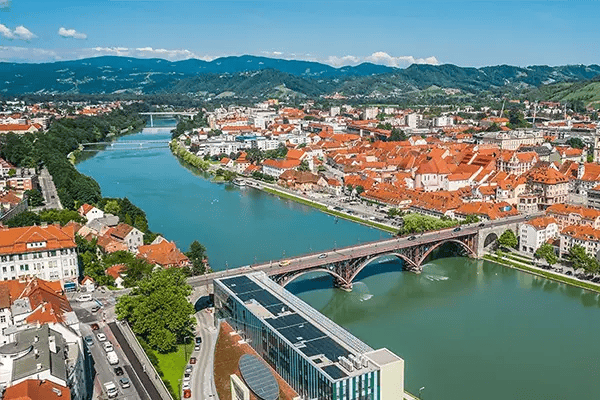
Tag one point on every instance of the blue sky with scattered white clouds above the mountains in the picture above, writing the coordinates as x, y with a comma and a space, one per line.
466, 33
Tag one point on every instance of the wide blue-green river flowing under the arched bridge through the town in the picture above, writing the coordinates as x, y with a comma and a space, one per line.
466, 329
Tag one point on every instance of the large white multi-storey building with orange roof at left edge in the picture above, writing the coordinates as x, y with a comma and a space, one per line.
47, 252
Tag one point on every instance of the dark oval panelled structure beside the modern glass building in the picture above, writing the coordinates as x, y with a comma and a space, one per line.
258, 377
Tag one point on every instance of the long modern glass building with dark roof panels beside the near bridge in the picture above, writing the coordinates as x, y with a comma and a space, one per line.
317, 357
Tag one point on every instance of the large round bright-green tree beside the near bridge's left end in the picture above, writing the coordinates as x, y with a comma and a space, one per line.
158, 309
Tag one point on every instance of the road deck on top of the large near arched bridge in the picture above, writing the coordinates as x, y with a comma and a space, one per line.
346, 253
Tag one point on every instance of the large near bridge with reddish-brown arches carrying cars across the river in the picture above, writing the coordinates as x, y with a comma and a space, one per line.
346, 263
